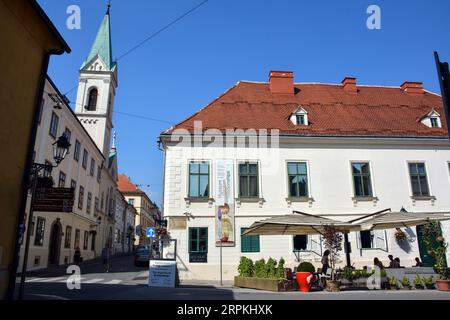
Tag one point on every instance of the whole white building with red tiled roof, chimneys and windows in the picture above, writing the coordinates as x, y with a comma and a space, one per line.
338, 158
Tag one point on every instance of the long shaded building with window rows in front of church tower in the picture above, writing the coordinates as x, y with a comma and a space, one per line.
56, 235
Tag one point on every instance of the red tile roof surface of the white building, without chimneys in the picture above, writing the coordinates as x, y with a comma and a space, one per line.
373, 111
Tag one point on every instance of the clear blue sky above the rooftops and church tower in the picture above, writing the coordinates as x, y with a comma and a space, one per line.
188, 65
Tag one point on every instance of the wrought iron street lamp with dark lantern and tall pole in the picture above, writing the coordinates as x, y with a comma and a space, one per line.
60, 151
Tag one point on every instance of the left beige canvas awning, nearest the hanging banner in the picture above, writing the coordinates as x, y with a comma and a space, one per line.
298, 223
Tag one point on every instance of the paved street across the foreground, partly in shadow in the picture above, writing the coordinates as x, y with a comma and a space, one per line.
125, 281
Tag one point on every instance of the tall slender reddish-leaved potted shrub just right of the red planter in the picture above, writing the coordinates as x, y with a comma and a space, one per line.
333, 243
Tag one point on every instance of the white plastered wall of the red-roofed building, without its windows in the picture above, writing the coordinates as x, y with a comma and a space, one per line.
331, 187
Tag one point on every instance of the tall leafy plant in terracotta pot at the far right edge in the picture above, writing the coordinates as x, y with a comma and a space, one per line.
437, 248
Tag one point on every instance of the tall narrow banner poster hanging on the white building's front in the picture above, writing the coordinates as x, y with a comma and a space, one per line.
225, 228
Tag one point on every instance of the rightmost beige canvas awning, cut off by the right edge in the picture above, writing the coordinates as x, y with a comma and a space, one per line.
402, 219
